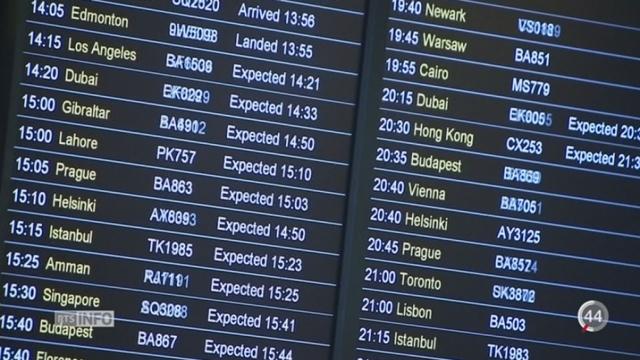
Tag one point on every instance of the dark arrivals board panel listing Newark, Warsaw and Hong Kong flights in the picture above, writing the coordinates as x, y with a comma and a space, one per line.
504, 193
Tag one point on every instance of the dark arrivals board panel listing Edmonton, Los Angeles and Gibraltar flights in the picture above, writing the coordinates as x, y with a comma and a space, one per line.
183, 164
